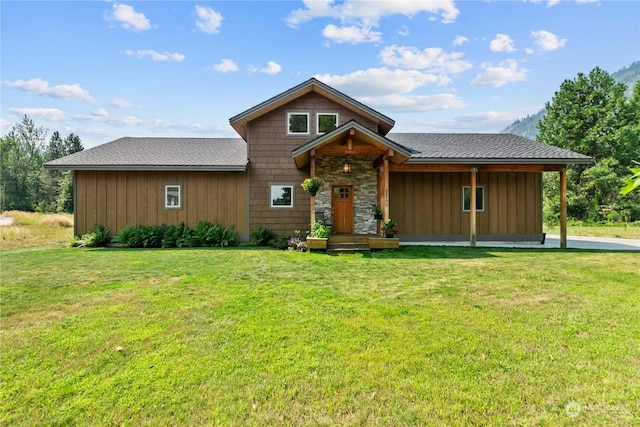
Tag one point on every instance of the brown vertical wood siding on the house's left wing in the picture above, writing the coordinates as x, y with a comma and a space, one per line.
119, 199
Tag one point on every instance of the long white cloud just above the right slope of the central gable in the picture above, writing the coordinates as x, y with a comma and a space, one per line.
378, 82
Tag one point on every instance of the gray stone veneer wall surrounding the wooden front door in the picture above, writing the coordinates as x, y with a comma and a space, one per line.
364, 179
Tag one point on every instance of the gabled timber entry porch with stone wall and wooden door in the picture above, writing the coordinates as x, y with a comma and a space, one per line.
353, 163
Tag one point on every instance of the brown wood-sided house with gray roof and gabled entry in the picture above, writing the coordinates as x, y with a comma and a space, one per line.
436, 186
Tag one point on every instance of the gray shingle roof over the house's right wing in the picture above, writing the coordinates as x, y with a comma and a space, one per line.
482, 148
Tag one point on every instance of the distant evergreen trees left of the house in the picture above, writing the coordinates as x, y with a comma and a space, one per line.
24, 183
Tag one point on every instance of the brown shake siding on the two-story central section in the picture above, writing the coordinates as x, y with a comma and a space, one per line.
270, 161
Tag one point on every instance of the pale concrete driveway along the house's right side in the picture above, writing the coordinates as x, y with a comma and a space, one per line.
553, 242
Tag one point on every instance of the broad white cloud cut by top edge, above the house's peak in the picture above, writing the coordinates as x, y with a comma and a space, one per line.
359, 18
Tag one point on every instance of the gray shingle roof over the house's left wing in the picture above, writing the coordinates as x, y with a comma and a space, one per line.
129, 153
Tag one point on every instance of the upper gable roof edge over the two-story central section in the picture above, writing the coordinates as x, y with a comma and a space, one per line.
240, 121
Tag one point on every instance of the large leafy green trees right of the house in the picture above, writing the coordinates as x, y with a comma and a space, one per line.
591, 115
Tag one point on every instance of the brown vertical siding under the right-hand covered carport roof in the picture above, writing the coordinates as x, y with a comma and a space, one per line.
428, 206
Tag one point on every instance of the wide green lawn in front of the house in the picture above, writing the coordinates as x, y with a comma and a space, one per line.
421, 336
